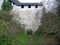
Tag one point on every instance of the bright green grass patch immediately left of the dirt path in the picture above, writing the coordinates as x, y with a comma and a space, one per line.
20, 39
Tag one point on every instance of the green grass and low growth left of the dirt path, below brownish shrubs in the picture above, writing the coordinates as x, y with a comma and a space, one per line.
8, 39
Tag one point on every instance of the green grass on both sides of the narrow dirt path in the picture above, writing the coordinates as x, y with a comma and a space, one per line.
16, 39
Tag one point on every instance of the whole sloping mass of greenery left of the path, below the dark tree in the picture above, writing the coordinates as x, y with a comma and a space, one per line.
11, 33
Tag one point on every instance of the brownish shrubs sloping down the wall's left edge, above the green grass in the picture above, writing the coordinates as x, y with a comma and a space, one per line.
12, 25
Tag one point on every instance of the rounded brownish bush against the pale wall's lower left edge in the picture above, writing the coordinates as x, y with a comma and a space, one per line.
15, 28
